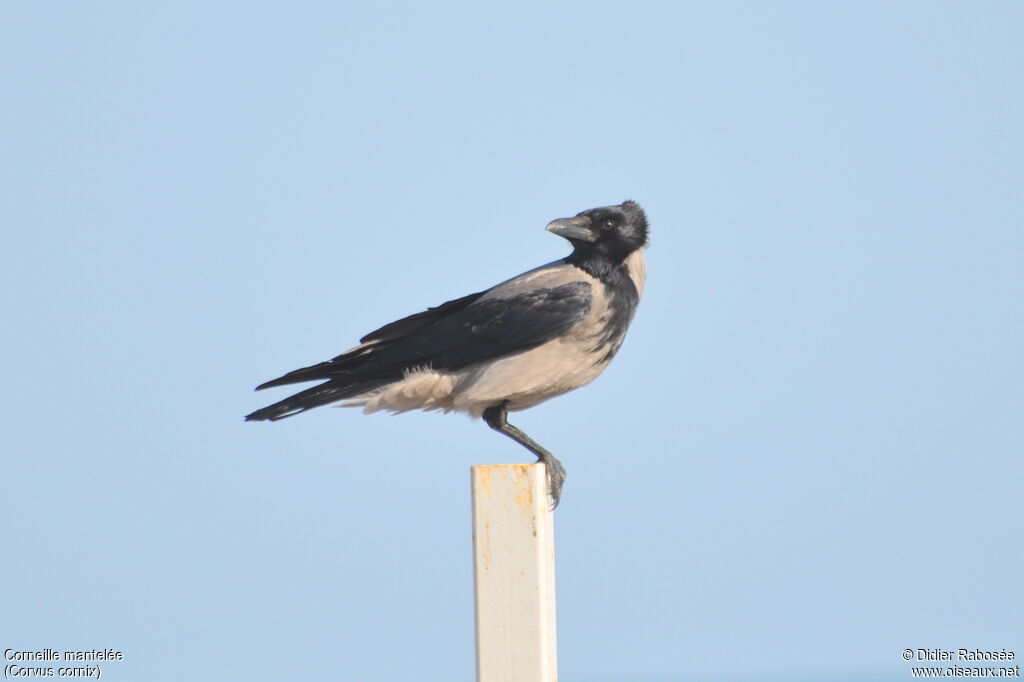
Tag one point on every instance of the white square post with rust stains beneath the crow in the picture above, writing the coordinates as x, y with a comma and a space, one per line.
515, 575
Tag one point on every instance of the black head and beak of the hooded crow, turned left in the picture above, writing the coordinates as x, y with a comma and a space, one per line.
611, 233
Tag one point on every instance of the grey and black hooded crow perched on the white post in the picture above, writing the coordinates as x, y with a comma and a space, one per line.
539, 335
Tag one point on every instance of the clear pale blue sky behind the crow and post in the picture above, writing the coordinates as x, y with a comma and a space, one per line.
806, 458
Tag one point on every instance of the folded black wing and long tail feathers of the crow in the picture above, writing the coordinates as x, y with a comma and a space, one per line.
449, 337
